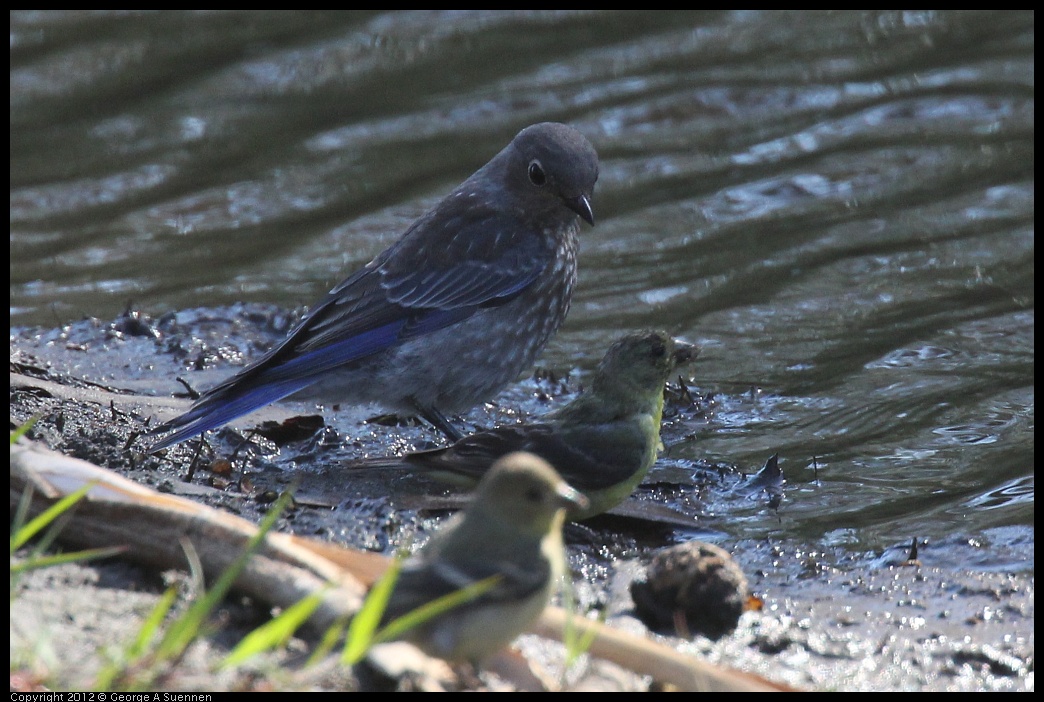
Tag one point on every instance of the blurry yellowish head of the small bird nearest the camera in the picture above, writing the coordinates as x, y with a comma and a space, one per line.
525, 490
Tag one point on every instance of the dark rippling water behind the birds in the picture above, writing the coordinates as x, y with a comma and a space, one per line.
838, 206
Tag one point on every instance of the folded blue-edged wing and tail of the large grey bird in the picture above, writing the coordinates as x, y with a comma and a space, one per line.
459, 259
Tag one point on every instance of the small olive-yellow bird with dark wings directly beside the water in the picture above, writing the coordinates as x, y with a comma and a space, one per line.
603, 443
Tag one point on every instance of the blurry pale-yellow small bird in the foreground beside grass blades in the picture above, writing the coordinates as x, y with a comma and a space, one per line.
513, 530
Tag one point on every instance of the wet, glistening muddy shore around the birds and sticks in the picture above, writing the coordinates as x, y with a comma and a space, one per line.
831, 620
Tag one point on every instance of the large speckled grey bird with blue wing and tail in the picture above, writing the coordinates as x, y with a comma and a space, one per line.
449, 315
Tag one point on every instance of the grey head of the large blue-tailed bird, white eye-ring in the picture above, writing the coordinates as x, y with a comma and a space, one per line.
551, 168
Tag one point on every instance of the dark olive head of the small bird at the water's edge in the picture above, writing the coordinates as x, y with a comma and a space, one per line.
643, 362
